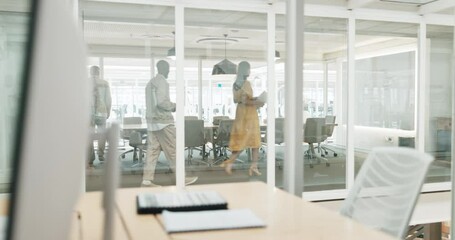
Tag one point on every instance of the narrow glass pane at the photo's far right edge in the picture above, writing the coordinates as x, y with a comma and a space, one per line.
438, 123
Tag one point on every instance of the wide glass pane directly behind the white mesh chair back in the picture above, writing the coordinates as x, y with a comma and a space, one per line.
384, 86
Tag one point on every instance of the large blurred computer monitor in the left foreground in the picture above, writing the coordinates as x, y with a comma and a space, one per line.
53, 139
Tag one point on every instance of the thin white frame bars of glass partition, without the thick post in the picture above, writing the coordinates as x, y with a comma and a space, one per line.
427, 15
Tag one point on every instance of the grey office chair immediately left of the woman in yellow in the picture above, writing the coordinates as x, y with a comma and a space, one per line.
221, 140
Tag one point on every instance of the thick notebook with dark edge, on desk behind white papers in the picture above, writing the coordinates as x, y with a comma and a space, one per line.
179, 201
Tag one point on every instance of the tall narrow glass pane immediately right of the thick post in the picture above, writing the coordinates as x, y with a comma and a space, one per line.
325, 49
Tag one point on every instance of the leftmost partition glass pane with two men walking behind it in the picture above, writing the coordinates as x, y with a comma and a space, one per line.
126, 44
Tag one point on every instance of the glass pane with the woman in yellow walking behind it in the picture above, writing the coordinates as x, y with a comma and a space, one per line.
225, 69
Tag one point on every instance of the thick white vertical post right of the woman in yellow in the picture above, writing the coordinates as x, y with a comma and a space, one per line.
293, 133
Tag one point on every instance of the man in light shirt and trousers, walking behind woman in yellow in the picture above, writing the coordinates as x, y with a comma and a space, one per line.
160, 125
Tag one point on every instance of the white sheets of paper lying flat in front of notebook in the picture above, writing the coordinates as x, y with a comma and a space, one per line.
210, 220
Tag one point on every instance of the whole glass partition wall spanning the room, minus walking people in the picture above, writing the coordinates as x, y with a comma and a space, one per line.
129, 40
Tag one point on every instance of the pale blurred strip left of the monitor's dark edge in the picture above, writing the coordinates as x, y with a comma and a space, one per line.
14, 30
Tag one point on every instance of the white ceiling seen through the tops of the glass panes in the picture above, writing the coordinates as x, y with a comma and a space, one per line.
146, 29
